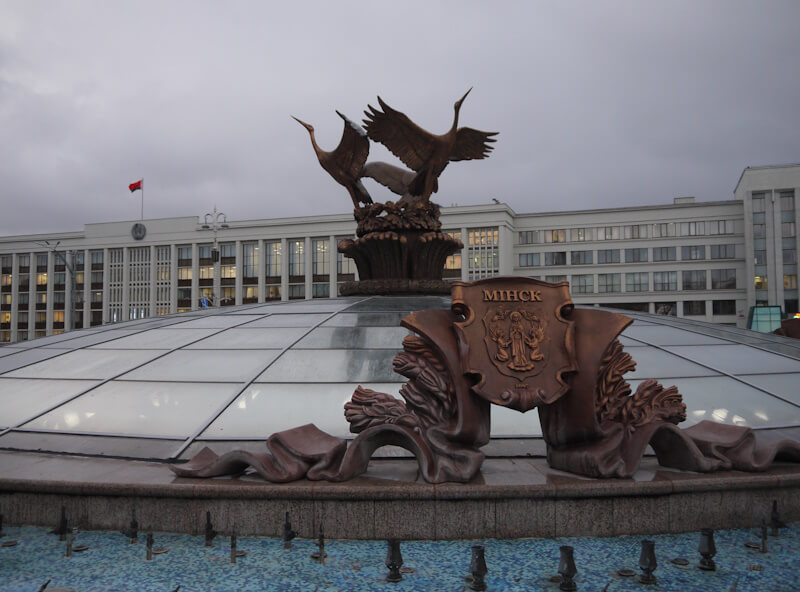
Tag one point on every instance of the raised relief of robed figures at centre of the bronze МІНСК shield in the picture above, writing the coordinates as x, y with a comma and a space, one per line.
517, 344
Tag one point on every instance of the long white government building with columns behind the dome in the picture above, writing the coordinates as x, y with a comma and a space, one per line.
704, 260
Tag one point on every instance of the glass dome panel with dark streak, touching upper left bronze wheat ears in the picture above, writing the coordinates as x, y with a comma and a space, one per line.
333, 365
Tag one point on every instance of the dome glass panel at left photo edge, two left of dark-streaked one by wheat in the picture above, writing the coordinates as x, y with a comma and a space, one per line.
87, 364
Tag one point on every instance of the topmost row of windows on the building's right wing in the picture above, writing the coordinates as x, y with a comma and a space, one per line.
634, 231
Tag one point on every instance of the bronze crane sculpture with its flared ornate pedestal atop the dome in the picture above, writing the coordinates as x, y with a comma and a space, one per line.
399, 246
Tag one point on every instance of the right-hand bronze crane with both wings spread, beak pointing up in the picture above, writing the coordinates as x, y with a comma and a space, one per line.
425, 153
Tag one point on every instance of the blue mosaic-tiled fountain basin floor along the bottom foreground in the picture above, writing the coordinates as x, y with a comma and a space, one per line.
111, 563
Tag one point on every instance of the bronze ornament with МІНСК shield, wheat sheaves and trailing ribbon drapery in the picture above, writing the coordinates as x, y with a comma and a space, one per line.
518, 343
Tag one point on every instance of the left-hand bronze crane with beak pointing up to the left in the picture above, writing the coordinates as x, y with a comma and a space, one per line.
345, 163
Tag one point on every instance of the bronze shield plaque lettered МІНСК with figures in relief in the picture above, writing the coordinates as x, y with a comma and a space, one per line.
516, 339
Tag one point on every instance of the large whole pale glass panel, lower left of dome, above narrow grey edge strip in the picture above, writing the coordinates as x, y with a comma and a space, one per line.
140, 408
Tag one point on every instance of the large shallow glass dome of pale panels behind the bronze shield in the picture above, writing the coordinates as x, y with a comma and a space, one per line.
163, 387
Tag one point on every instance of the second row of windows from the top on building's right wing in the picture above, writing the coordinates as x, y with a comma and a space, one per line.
638, 255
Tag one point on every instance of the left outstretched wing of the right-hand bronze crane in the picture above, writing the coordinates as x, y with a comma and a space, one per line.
404, 138
